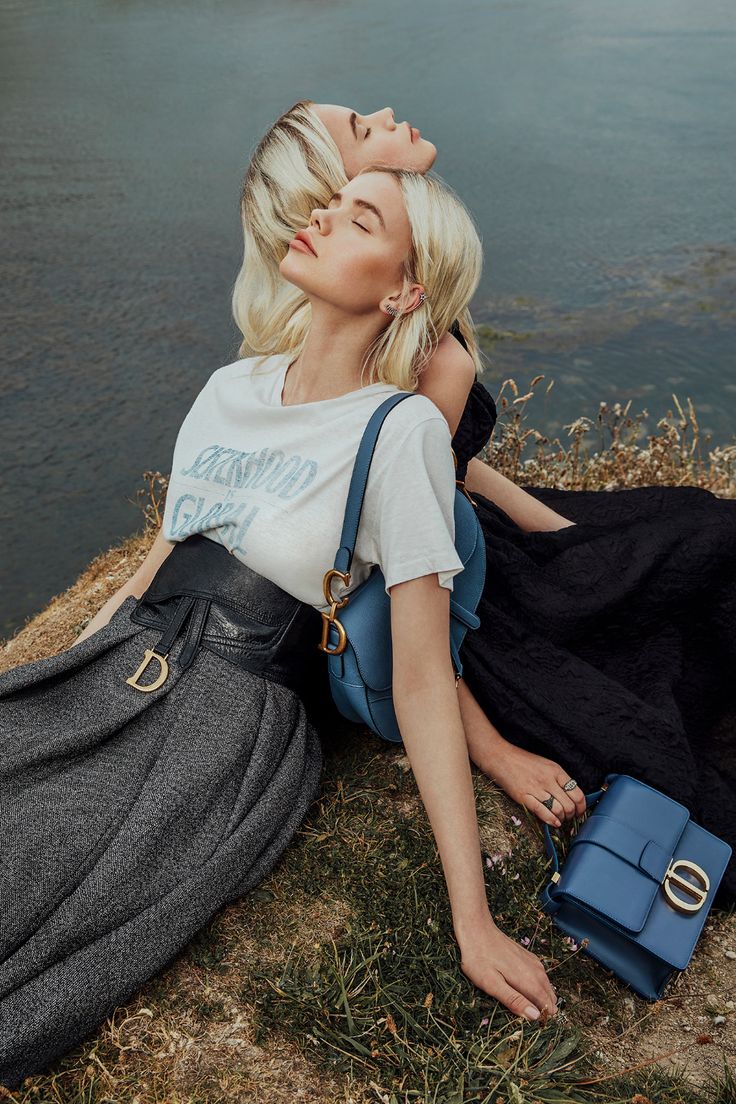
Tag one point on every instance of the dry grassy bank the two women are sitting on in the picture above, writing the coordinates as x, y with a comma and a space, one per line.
337, 980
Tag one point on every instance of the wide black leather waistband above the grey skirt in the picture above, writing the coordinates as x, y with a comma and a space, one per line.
223, 606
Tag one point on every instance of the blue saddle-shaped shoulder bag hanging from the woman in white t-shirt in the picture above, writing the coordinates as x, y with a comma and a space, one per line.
358, 644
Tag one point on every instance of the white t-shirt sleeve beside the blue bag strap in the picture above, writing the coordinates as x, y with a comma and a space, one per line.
411, 500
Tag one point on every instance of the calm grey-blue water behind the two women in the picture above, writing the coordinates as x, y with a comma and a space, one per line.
593, 143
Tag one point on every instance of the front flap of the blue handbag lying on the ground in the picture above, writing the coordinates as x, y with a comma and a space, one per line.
620, 857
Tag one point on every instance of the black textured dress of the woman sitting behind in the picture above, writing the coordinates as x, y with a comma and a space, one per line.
611, 645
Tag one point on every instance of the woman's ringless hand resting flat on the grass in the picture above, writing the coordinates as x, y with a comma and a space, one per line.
505, 970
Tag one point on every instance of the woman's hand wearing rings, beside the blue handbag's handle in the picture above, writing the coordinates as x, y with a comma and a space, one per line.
529, 779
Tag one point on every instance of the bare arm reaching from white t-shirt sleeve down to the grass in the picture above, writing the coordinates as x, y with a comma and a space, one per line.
429, 716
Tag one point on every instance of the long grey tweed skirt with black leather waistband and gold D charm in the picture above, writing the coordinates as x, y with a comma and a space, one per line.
130, 816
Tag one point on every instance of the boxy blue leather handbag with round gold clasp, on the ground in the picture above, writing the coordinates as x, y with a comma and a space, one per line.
638, 883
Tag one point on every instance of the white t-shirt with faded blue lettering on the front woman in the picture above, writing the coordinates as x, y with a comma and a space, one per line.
271, 482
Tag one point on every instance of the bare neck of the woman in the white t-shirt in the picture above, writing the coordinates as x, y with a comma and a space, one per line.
333, 358
